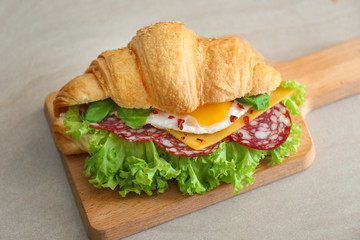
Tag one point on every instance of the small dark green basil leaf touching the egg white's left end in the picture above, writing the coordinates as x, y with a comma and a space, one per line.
134, 117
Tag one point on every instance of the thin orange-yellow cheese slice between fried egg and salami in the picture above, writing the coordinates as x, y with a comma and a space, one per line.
200, 141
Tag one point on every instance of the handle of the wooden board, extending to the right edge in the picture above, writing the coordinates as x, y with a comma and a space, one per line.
330, 74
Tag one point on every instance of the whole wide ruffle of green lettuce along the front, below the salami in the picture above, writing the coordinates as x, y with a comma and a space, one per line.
144, 167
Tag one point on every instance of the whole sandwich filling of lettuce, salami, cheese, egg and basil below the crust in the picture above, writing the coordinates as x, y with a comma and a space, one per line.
141, 149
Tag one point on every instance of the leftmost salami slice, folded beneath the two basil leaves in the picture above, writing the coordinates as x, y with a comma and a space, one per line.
118, 127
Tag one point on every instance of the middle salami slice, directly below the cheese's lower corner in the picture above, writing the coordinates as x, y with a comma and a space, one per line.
174, 146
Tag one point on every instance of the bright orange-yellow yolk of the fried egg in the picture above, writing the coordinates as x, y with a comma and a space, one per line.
210, 114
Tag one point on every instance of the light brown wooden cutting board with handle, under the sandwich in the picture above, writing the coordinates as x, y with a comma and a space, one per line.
330, 74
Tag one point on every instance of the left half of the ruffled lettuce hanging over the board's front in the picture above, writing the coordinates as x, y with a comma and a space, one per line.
134, 167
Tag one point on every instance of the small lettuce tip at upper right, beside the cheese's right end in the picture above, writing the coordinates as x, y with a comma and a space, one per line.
297, 99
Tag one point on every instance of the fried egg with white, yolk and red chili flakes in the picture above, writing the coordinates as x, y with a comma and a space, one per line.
208, 118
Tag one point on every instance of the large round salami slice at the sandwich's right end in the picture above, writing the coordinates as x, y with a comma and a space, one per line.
268, 131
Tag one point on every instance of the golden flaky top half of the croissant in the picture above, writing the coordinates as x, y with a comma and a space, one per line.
168, 67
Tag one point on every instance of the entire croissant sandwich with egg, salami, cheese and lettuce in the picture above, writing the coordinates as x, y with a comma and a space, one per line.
172, 105
